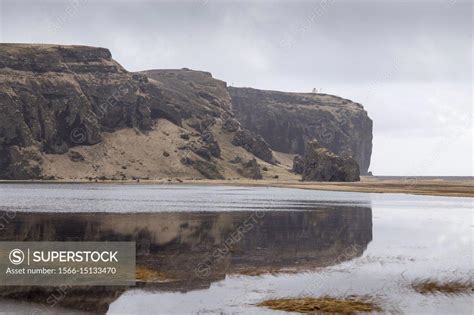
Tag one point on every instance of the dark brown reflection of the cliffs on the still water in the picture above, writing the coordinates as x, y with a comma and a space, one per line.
192, 250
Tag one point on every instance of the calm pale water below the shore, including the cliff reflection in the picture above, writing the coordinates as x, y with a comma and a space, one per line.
291, 242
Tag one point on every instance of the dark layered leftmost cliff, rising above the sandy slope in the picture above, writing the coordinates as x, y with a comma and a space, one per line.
56, 97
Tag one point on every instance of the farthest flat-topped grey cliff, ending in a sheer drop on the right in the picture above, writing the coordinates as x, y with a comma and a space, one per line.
287, 121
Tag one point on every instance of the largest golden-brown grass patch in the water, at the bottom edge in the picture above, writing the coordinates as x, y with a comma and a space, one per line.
348, 305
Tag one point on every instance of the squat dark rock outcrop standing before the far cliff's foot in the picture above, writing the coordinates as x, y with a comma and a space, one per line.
320, 164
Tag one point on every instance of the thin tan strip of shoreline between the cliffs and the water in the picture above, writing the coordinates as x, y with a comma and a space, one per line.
413, 186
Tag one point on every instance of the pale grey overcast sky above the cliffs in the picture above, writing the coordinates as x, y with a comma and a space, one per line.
409, 63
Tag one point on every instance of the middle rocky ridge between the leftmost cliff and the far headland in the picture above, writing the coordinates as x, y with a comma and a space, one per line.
205, 102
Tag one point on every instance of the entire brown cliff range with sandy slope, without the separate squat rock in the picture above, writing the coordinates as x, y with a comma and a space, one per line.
72, 112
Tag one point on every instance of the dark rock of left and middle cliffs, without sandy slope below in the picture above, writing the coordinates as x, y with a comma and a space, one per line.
54, 97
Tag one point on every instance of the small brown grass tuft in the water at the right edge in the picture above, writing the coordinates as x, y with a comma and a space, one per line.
450, 287
